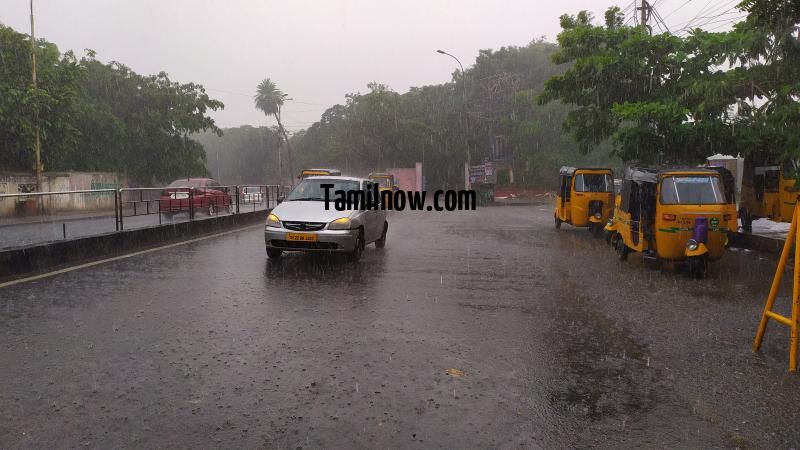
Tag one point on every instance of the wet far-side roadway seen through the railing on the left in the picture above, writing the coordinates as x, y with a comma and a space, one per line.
16, 232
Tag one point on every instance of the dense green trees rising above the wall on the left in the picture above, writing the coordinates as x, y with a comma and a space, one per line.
96, 116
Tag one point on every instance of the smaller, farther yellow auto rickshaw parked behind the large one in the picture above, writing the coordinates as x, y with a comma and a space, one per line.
585, 198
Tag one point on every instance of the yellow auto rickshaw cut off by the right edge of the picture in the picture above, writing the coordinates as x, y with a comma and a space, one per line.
768, 191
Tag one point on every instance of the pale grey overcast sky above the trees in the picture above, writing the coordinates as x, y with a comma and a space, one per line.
316, 51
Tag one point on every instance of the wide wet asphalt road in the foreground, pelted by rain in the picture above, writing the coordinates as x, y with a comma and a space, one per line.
472, 329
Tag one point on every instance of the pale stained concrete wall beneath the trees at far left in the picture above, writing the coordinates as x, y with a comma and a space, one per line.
18, 183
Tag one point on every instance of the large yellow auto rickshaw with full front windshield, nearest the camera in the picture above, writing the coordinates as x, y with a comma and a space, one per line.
675, 215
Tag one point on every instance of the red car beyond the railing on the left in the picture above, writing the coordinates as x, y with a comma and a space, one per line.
205, 194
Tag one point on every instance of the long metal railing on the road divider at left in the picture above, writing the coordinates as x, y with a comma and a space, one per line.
34, 217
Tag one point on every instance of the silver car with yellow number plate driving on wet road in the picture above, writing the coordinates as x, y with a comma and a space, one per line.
302, 223
